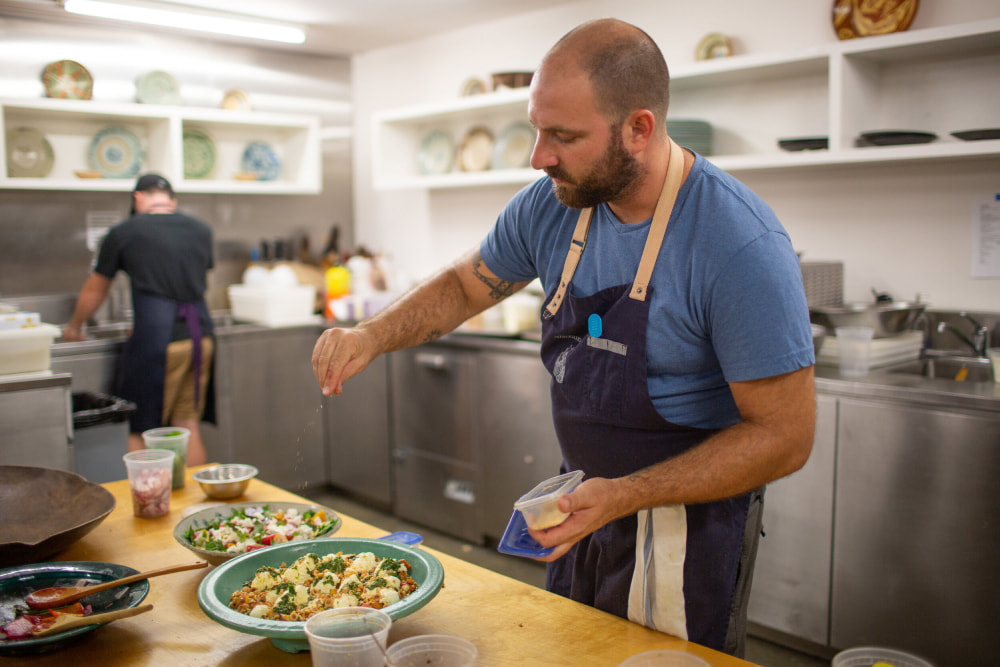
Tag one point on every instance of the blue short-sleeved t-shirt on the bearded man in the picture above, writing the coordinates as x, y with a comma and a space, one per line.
727, 300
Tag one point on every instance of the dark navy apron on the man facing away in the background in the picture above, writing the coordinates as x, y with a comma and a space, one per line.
142, 366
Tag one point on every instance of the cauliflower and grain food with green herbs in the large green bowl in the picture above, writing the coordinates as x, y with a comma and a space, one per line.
312, 584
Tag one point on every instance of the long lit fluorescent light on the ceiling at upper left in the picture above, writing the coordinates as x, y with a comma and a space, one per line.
188, 20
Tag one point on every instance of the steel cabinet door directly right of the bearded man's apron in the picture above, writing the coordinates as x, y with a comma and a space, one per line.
791, 585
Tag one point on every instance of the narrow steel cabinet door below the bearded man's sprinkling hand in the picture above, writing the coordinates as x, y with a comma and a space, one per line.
357, 426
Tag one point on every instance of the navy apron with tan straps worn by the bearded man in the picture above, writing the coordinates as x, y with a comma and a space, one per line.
685, 576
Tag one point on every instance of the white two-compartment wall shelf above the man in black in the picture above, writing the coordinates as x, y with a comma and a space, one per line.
70, 125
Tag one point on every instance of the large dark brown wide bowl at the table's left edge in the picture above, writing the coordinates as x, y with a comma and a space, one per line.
43, 511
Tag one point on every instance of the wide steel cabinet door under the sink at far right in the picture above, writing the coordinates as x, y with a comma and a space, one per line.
917, 531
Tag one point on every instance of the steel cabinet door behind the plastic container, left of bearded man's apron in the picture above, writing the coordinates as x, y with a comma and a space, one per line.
516, 435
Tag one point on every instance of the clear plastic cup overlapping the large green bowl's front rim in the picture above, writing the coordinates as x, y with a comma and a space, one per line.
353, 636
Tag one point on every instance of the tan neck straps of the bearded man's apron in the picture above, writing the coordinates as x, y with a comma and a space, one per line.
661, 216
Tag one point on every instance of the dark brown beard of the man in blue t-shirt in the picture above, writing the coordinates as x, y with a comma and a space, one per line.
615, 172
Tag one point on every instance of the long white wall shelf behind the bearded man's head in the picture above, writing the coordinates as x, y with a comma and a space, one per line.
937, 80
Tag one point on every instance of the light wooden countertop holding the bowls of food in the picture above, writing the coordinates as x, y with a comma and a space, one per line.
511, 623
